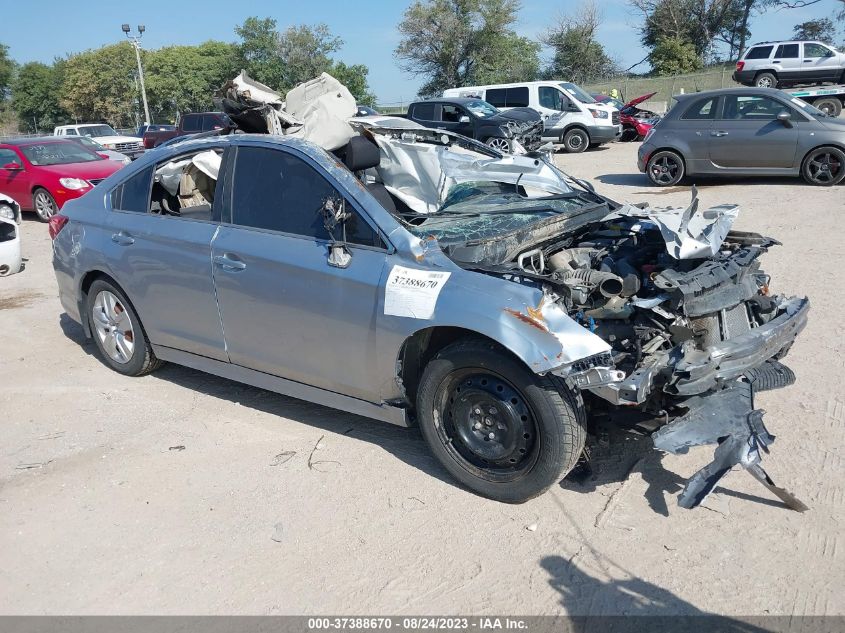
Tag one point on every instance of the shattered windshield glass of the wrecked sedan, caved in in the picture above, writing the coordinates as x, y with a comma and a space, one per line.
482, 210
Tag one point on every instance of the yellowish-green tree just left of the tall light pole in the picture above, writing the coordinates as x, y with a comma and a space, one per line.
101, 85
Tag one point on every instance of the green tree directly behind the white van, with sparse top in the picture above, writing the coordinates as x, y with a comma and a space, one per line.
578, 56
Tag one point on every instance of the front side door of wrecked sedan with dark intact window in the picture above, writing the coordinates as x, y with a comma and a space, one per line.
286, 309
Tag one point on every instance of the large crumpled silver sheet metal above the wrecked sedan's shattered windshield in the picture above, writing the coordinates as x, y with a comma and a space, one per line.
421, 173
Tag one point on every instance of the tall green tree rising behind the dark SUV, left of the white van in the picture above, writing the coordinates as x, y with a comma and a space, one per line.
460, 42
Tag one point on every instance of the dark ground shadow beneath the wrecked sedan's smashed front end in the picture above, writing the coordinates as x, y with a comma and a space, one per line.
617, 453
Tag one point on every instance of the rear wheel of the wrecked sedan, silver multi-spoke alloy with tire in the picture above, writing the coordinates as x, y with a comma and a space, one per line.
117, 331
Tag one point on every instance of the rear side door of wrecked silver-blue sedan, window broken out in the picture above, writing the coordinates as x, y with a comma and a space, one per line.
163, 261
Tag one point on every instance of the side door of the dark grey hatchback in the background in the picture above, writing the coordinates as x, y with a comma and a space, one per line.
748, 135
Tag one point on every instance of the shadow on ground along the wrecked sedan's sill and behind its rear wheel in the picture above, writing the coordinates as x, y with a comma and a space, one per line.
405, 443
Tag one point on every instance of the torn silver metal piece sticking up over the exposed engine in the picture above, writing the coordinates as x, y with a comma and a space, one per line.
688, 233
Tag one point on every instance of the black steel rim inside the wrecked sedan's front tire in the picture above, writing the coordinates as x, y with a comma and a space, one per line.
487, 425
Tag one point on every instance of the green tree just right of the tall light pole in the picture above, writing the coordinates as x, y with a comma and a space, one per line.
184, 78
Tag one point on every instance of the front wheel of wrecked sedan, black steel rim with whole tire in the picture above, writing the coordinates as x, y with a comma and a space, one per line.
498, 428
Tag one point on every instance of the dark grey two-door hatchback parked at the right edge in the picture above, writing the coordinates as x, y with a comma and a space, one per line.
744, 132
